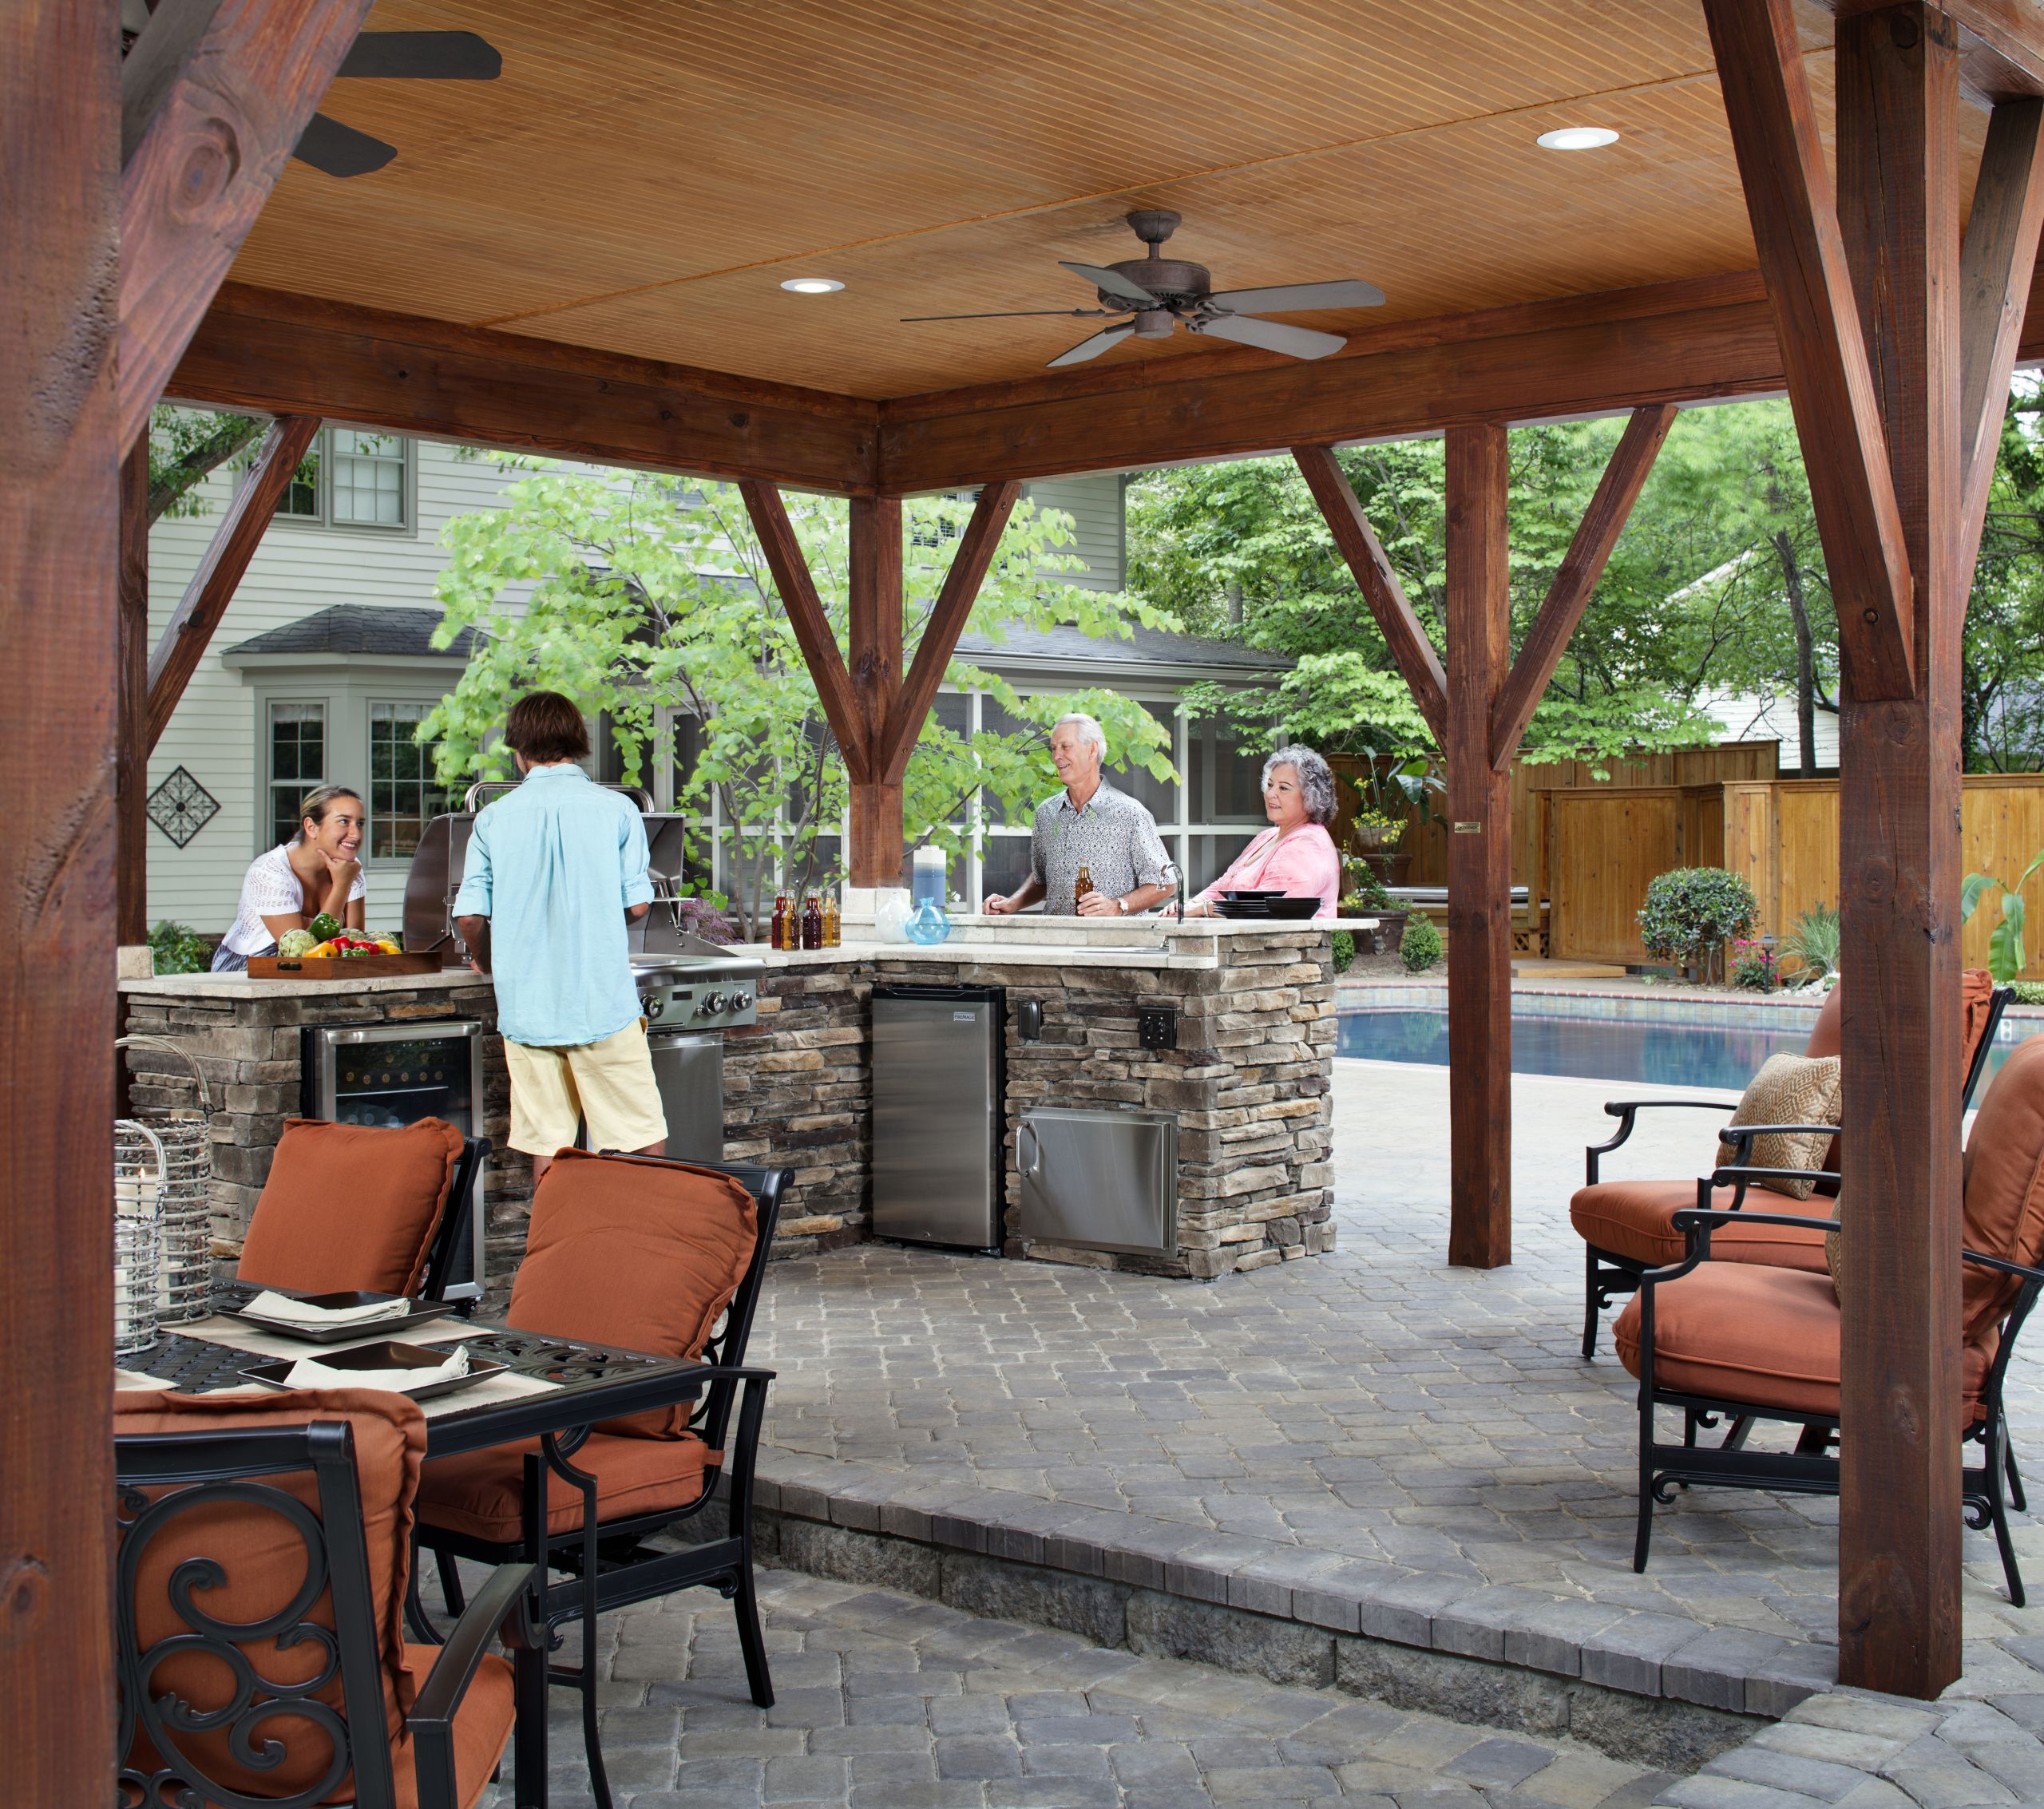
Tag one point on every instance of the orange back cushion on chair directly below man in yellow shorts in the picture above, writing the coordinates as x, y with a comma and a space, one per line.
635, 1252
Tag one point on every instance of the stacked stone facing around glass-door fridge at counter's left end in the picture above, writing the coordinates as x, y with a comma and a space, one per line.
250, 1056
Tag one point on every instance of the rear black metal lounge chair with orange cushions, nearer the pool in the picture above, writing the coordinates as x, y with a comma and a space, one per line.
1628, 1227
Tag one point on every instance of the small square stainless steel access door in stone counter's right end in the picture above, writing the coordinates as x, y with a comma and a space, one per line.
1101, 1178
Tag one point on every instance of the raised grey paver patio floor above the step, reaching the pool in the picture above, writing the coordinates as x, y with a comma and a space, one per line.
1371, 1405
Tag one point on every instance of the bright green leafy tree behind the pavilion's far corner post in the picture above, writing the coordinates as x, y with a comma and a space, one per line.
637, 592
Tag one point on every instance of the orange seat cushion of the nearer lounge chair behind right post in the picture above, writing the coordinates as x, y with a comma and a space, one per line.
1740, 1332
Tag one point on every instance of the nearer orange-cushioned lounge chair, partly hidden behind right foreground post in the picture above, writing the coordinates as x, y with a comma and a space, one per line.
1740, 1342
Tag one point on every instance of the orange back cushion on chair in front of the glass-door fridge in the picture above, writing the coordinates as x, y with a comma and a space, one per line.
351, 1207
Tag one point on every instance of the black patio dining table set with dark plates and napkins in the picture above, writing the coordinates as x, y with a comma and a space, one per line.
547, 1387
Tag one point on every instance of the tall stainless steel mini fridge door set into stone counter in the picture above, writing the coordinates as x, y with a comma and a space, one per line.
937, 1117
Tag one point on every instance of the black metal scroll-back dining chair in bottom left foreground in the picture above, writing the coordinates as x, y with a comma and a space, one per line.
216, 1503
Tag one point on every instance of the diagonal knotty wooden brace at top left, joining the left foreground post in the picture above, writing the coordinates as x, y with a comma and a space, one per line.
214, 99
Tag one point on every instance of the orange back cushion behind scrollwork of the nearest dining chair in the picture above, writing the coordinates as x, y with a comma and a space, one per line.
265, 1563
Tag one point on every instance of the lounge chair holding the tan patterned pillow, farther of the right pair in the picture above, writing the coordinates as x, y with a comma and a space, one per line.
1614, 1272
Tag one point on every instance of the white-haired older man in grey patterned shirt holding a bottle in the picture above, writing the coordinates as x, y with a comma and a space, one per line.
1095, 827
